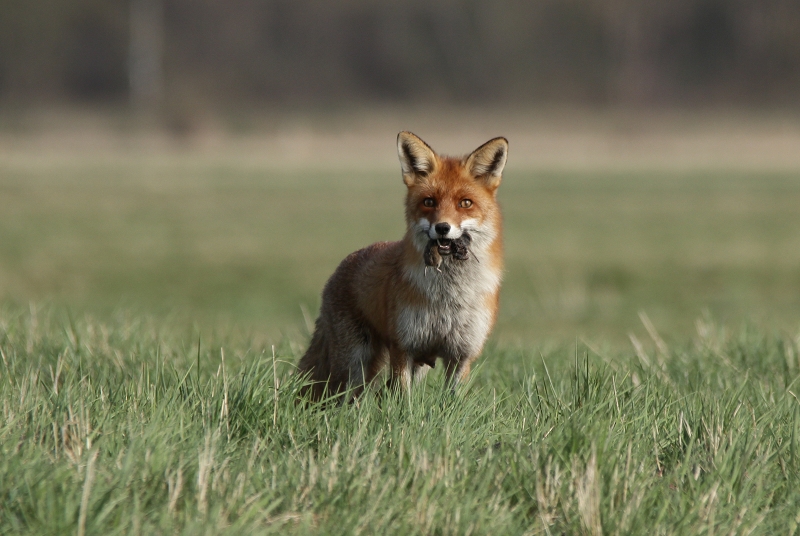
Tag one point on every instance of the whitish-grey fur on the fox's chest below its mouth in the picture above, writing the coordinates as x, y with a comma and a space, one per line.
456, 319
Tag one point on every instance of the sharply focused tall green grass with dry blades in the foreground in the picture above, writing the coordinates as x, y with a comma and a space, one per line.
123, 427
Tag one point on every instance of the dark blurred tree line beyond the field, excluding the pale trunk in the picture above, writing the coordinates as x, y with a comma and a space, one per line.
229, 52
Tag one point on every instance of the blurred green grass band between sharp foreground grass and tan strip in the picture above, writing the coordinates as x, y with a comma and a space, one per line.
240, 245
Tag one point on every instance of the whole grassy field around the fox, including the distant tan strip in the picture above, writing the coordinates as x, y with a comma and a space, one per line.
642, 376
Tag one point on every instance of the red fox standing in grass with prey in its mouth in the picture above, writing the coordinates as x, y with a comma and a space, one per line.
432, 294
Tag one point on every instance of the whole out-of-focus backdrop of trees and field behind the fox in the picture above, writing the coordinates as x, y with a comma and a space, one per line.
214, 161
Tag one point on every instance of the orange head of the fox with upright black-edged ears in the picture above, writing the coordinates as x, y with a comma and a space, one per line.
450, 197
